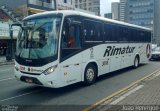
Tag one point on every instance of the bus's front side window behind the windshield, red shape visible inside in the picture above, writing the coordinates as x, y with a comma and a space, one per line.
71, 40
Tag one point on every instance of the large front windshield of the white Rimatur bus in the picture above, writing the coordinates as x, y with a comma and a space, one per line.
39, 38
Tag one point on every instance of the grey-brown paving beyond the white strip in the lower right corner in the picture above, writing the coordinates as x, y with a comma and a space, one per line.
149, 94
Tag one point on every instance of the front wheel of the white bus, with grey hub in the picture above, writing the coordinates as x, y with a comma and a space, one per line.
90, 74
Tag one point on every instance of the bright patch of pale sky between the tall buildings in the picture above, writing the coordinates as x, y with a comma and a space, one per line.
105, 6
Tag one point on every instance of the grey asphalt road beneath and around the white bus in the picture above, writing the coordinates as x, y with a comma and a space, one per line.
13, 92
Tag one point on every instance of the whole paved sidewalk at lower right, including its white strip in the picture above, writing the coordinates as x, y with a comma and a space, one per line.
144, 96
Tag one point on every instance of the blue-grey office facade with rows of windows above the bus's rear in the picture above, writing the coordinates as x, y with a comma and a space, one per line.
141, 12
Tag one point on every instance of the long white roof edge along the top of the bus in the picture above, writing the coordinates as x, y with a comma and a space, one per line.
72, 12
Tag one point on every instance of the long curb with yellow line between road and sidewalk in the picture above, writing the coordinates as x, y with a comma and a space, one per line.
95, 105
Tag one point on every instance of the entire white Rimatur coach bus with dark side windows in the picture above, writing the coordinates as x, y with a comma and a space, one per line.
59, 48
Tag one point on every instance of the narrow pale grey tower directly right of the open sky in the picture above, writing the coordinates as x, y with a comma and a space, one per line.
115, 10
